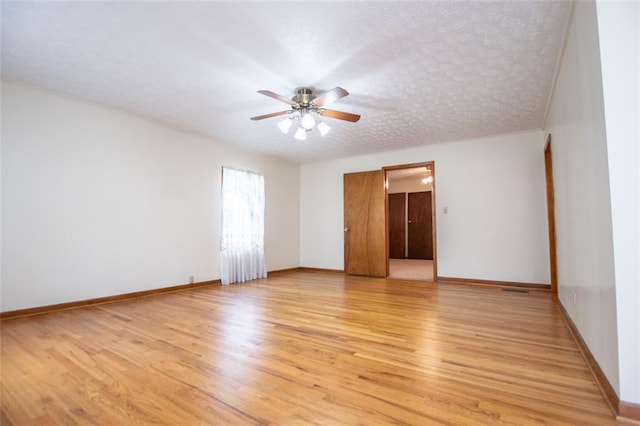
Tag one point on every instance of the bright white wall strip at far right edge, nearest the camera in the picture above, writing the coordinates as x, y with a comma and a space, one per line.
618, 29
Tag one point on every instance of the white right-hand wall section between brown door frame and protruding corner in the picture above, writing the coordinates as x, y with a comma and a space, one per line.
581, 177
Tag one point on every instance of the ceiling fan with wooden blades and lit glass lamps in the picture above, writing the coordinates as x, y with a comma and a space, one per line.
307, 109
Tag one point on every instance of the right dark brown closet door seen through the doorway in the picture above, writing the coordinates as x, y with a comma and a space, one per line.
420, 230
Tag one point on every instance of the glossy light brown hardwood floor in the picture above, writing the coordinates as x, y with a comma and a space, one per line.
302, 348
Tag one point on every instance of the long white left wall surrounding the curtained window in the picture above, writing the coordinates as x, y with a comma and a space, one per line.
96, 202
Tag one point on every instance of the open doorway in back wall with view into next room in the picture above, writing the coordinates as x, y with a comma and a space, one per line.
411, 221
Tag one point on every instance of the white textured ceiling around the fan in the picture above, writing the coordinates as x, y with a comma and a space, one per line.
417, 72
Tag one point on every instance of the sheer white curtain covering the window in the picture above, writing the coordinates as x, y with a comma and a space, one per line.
242, 246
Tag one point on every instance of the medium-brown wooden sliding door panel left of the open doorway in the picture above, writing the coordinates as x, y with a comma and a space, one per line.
365, 245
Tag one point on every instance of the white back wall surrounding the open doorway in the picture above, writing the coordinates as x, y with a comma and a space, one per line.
494, 190
